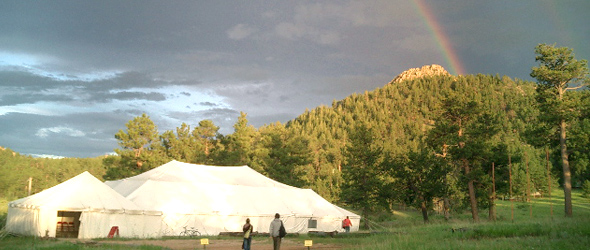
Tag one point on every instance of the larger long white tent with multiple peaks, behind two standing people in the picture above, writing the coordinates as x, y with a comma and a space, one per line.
219, 199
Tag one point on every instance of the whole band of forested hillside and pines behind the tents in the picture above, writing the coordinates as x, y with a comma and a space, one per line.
421, 141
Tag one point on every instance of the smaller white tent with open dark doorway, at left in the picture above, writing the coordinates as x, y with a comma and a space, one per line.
81, 207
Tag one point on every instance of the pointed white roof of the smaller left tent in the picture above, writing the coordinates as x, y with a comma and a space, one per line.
82, 192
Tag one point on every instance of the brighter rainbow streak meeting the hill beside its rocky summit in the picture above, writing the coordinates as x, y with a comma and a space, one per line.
443, 42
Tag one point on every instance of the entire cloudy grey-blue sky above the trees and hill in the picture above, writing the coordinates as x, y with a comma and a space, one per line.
73, 73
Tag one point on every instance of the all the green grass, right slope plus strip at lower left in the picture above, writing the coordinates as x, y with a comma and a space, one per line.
515, 228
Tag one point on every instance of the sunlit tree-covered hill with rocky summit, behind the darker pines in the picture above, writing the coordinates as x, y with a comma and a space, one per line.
403, 111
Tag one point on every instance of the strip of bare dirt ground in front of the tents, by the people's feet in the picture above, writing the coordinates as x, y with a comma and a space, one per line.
225, 244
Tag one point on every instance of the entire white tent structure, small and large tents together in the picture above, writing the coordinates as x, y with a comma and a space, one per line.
169, 198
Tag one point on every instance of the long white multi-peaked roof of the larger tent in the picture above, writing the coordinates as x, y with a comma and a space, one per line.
177, 187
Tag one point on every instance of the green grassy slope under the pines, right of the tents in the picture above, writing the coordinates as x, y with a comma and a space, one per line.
521, 231
